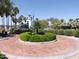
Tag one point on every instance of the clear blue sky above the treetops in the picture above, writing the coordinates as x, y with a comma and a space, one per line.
49, 8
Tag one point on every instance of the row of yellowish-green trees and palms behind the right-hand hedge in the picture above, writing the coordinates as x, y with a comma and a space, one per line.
61, 23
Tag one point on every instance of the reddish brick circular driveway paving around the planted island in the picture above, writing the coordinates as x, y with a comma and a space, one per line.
62, 46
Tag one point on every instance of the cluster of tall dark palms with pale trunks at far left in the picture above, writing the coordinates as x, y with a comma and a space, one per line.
7, 10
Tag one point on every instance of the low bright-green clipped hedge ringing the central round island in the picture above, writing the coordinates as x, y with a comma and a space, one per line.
37, 37
